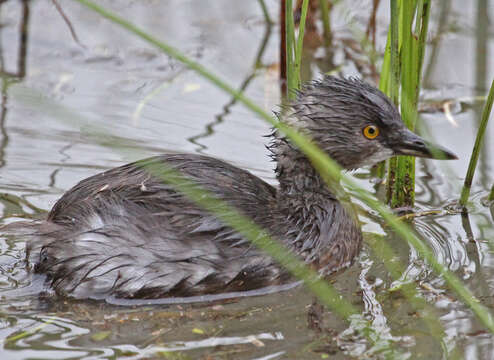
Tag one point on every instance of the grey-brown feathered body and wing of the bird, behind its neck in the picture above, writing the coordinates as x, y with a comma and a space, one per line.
127, 232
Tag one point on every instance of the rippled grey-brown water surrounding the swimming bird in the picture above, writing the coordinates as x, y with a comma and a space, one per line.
114, 83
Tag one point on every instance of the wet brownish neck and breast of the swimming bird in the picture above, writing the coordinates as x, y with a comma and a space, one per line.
316, 225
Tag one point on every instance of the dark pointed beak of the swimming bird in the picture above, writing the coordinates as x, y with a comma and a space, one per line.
413, 145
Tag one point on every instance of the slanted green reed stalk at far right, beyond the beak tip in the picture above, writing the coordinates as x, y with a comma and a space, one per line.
467, 185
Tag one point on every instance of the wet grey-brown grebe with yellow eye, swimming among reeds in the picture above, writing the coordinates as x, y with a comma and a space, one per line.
125, 233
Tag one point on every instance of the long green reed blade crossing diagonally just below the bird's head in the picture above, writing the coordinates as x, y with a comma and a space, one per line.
329, 170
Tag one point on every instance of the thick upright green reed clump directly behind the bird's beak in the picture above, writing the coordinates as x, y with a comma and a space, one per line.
401, 184
